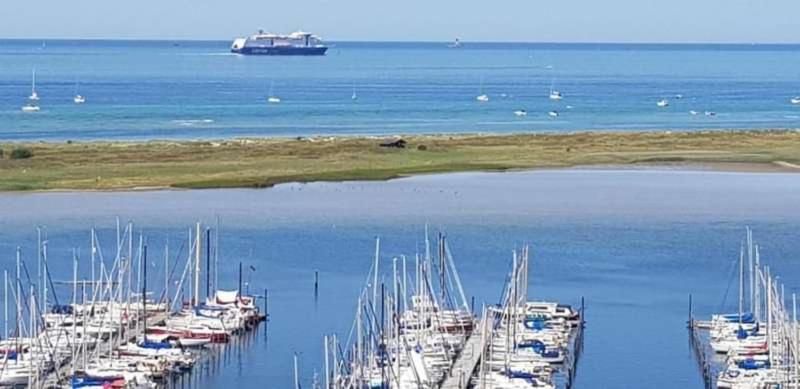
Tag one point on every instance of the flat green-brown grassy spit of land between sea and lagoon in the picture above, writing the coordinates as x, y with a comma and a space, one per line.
268, 161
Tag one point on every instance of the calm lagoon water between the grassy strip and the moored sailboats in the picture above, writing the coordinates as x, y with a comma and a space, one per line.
634, 243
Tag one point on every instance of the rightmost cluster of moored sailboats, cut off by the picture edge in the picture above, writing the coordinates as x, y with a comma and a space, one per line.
756, 347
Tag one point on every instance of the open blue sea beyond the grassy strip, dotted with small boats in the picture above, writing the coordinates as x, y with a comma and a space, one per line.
180, 90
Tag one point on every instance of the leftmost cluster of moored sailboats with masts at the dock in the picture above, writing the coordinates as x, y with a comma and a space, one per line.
111, 332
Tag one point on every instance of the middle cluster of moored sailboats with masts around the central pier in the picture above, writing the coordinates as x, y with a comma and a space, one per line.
426, 335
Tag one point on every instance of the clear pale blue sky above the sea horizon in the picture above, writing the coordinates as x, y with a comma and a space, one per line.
722, 21
